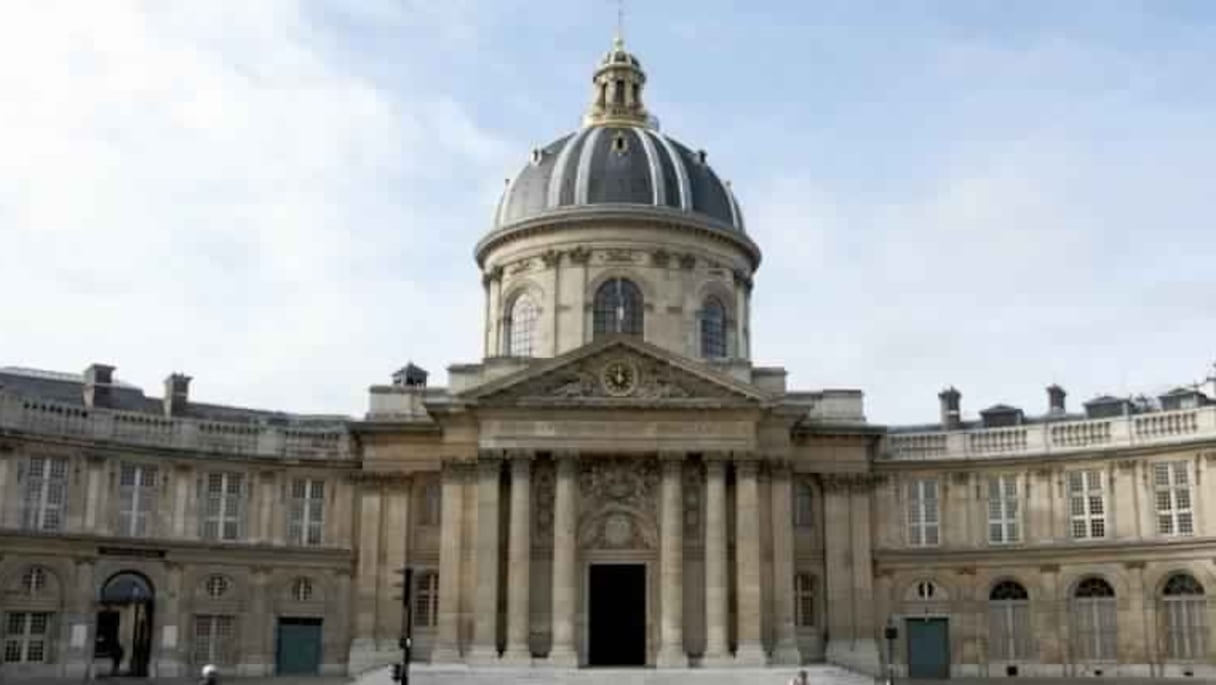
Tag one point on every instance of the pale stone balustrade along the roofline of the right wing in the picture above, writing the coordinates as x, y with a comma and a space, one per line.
1158, 428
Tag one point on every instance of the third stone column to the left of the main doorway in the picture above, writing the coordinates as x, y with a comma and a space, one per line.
486, 620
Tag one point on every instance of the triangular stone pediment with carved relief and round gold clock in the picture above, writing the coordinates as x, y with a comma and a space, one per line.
617, 372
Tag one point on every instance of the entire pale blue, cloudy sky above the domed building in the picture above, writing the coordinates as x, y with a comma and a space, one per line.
282, 198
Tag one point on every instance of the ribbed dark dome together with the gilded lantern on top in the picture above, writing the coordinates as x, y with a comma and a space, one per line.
620, 158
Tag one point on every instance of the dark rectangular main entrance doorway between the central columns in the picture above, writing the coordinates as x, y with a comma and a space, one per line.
617, 615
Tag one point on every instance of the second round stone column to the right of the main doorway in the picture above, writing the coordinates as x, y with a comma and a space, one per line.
717, 650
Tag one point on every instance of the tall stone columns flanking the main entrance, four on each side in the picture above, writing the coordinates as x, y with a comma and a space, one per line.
750, 650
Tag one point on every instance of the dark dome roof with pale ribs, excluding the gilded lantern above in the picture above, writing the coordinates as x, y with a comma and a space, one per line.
618, 165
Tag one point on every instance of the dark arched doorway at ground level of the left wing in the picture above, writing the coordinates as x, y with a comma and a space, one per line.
125, 624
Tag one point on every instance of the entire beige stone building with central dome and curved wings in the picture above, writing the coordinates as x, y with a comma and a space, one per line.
616, 484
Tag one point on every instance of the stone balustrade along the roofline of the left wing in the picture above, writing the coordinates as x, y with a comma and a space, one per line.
326, 440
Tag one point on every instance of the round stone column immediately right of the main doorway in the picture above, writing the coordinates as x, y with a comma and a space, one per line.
672, 653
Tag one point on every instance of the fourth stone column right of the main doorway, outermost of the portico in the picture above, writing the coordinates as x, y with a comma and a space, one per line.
786, 639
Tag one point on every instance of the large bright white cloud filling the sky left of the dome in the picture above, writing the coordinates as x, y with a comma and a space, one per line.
200, 186
